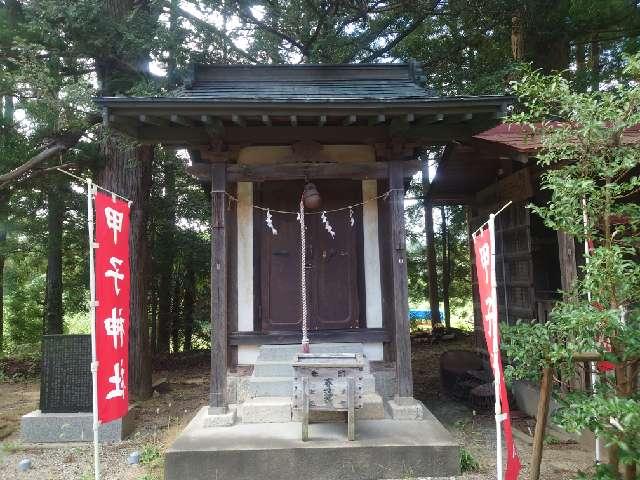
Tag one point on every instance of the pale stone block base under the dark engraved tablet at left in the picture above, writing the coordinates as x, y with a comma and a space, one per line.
38, 427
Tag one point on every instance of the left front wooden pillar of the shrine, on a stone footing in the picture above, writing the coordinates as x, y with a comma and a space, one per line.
218, 383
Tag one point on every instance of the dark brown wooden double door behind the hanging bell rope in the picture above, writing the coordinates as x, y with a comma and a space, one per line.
332, 263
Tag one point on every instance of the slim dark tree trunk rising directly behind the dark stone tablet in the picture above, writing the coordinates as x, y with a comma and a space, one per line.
53, 324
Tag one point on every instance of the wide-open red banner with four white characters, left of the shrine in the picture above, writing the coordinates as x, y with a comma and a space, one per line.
112, 310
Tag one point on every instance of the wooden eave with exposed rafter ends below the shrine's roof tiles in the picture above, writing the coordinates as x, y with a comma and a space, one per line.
178, 122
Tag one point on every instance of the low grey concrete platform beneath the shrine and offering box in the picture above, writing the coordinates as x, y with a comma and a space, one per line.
383, 449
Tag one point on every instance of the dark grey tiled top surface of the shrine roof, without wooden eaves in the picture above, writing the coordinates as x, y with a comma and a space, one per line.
358, 85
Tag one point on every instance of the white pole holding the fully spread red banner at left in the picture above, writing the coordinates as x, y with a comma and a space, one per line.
94, 363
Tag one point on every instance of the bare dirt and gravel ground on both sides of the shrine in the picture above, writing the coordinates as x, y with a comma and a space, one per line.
160, 419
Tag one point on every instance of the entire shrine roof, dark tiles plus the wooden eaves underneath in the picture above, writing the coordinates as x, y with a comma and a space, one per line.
373, 101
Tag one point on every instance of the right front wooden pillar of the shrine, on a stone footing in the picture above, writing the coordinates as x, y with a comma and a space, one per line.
404, 378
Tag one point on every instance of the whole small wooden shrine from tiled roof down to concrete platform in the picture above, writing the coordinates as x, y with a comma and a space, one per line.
258, 137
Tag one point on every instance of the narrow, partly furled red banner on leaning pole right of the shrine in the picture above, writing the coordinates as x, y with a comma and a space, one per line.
485, 270
